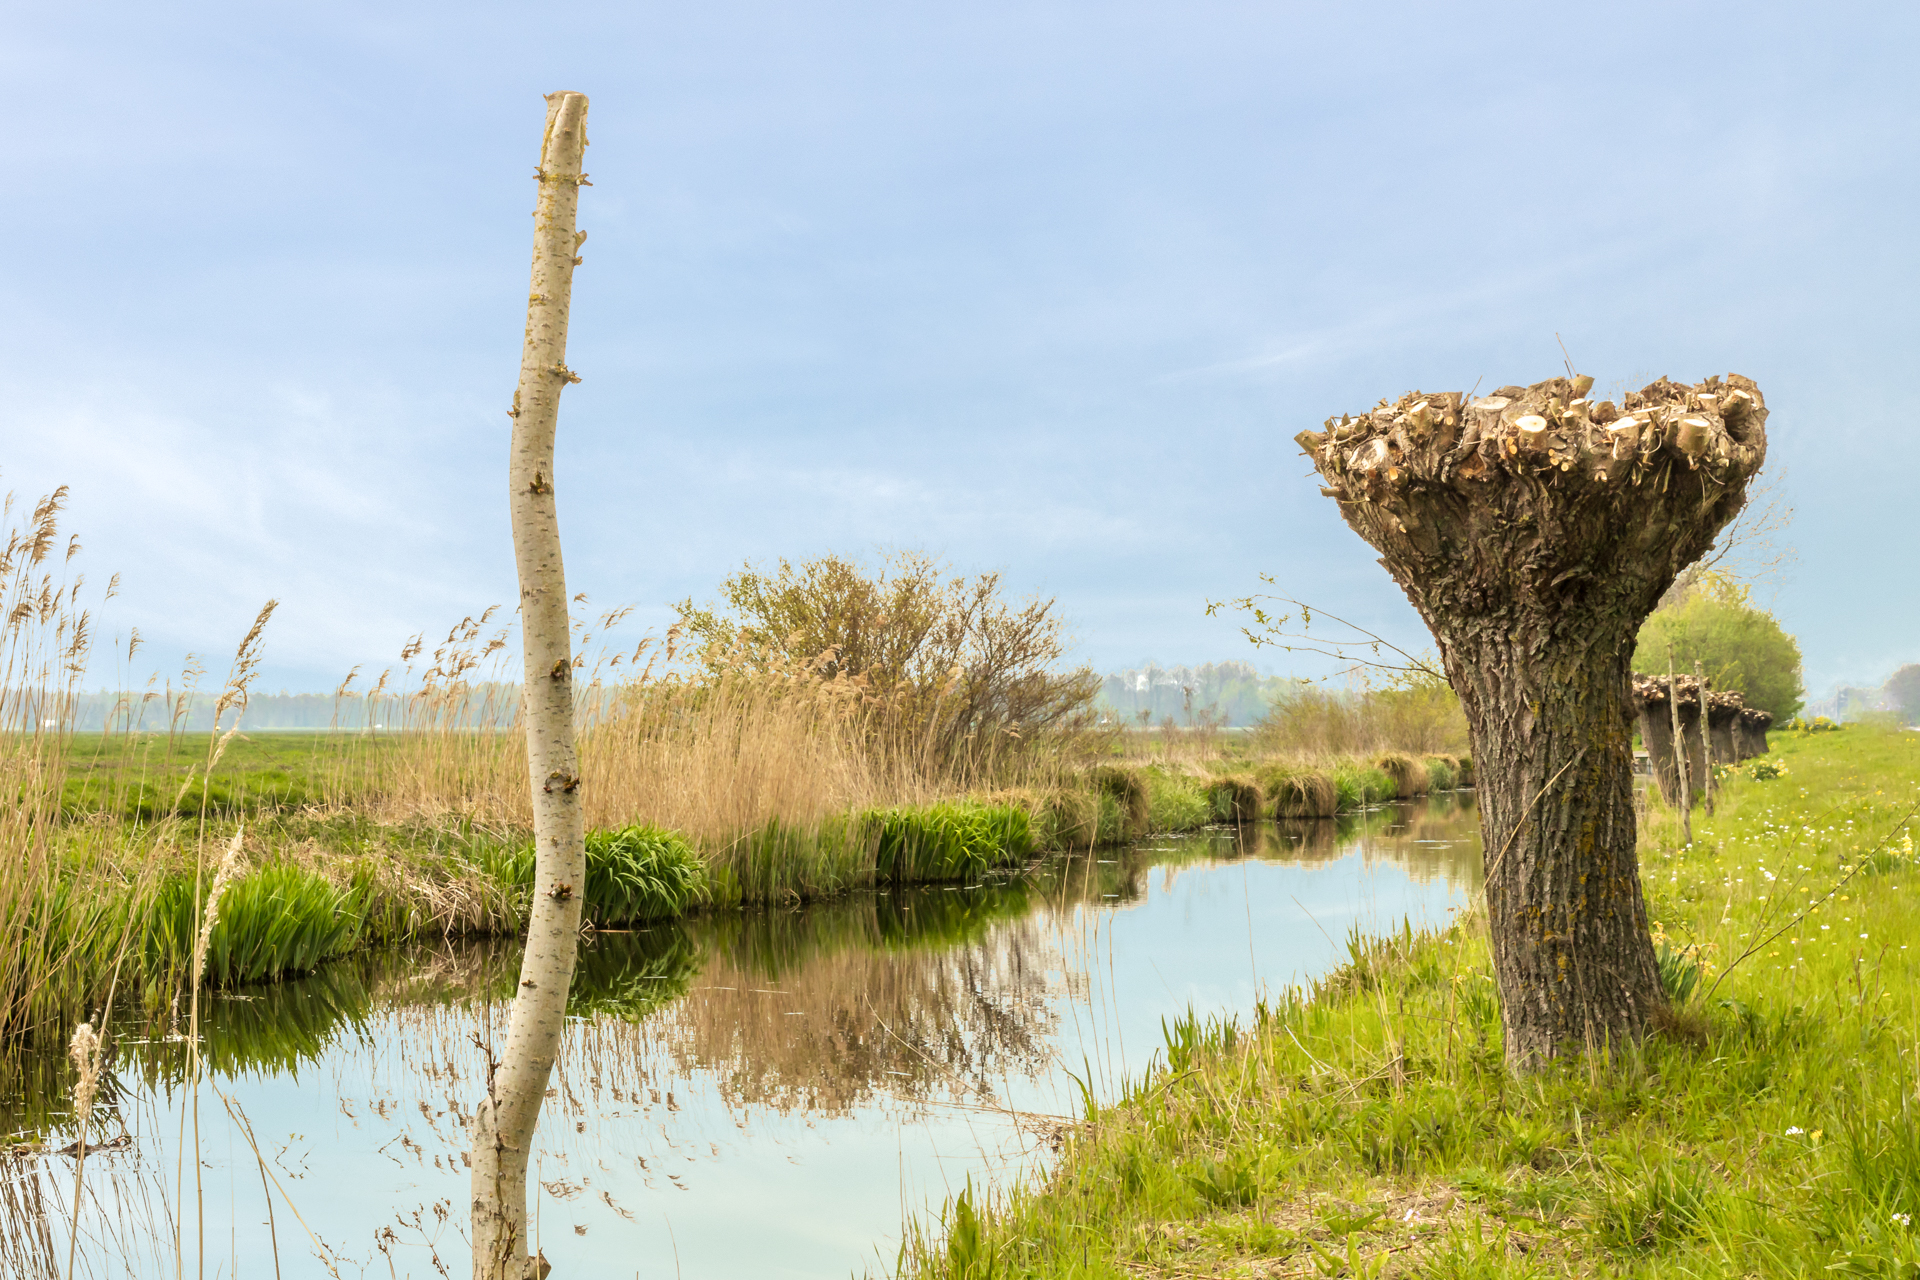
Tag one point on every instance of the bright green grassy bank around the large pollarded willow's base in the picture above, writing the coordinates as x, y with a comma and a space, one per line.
1370, 1129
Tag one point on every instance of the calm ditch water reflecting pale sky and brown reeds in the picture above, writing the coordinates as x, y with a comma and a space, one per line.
750, 1095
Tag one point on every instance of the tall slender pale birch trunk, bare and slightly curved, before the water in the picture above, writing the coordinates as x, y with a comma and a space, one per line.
506, 1120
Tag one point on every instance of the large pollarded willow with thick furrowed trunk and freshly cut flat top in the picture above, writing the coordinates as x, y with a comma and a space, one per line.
1535, 531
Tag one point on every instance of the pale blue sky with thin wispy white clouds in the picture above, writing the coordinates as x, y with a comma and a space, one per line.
1038, 287
